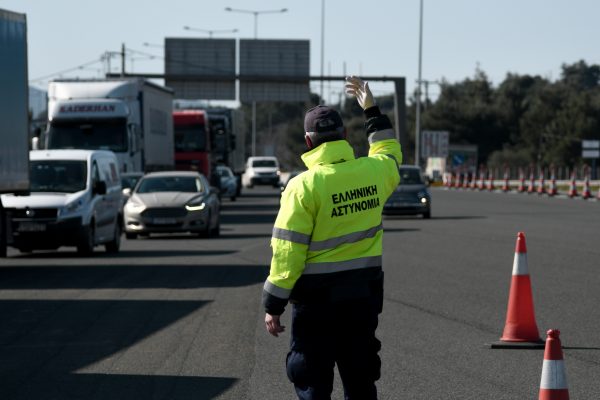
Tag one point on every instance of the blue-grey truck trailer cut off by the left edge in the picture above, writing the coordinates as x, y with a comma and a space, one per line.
14, 109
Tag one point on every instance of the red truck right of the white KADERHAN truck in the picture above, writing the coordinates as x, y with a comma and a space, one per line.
192, 141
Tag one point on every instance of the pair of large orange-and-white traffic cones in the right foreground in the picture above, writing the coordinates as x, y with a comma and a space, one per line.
521, 331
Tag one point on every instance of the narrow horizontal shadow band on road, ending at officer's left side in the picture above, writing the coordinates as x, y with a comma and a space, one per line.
87, 276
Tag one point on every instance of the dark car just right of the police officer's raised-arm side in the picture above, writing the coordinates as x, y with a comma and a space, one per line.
411, 197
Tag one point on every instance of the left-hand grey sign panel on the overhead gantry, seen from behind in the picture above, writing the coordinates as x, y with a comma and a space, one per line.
201, 68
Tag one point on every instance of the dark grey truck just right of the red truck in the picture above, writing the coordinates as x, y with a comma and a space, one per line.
228, 138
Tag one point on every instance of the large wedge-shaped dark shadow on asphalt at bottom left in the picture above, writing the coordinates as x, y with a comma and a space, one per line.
44, 343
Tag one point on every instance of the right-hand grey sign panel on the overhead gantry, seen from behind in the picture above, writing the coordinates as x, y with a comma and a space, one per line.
274, 70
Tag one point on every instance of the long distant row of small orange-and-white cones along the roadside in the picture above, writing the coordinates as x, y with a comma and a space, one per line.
459, 180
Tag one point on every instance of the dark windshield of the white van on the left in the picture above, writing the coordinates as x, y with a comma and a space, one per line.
57, 176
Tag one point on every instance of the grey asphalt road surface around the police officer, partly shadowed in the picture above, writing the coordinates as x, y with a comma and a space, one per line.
176, 317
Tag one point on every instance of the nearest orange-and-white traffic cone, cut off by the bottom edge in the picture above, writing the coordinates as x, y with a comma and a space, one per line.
553, 385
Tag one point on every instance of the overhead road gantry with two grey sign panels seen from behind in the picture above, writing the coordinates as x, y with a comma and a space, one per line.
269, 71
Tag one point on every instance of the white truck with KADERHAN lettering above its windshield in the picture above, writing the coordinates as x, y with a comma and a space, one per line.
131, 117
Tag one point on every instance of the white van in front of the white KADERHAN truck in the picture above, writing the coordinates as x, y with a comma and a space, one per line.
75, 200
